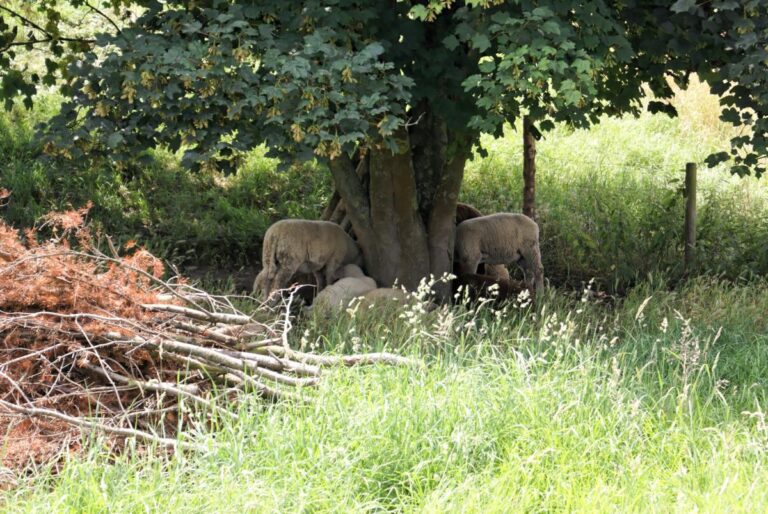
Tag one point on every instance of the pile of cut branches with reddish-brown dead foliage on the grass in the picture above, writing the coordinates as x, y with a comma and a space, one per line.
96, 341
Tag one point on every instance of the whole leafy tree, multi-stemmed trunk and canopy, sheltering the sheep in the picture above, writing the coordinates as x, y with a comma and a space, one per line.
393, 95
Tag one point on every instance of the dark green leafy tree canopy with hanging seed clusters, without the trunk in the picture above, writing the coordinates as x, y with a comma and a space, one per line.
320, 78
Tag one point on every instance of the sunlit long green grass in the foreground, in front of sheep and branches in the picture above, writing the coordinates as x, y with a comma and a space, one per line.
582, 409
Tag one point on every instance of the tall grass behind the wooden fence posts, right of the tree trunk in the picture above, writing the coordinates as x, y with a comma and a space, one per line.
610, 199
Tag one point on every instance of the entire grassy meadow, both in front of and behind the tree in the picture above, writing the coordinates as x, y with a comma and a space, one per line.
652, 401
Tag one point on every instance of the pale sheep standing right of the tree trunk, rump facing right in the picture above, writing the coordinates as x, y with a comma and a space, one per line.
501, 238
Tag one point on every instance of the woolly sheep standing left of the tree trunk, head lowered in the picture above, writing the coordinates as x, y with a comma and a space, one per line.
303, 246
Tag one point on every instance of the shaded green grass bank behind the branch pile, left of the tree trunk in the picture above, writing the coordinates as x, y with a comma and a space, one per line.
186, 218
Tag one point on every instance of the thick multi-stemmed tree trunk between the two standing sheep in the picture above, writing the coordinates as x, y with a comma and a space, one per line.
404, 217
